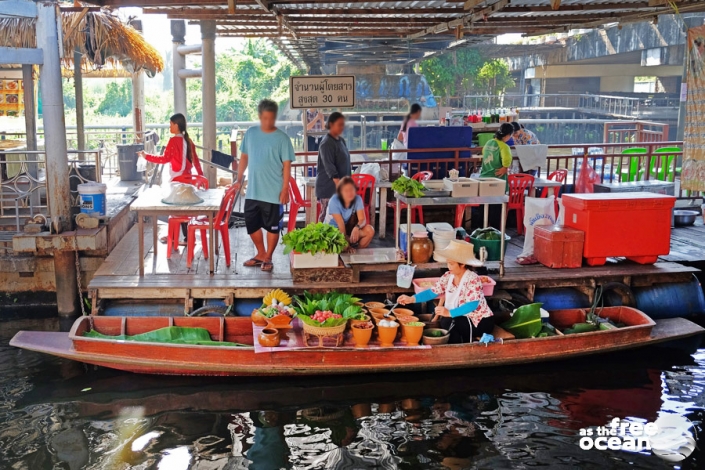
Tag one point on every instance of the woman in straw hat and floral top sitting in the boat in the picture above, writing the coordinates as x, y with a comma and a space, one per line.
463, 309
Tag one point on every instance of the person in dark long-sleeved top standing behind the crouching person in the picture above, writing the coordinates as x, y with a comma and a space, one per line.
333, 161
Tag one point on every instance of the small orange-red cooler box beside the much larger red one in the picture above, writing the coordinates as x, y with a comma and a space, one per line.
558, 247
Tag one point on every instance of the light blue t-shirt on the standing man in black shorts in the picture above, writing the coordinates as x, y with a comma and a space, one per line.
267, 152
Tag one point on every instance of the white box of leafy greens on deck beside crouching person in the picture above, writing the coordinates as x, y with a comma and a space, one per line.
314, 246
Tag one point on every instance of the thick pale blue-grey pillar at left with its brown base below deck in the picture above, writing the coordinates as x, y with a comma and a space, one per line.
57, 166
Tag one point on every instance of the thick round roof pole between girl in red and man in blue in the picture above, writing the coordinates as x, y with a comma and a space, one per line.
208, 94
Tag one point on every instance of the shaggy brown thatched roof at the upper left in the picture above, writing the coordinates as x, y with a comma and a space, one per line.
101, 37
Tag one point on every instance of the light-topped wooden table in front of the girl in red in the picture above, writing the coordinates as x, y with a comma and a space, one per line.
149, 204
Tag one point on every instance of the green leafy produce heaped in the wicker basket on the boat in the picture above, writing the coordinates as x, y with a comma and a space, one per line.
342, 307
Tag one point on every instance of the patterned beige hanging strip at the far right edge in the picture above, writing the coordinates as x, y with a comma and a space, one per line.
693, 174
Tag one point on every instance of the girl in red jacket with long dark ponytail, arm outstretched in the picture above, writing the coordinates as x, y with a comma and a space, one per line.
180, 152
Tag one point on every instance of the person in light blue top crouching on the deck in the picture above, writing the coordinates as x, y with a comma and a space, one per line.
347, 212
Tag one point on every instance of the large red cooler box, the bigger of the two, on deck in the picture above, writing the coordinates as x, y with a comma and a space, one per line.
632, 225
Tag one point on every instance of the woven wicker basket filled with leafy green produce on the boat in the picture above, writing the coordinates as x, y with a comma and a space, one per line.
326, 316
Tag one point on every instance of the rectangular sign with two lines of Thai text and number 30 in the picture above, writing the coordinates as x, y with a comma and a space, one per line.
322, 91
